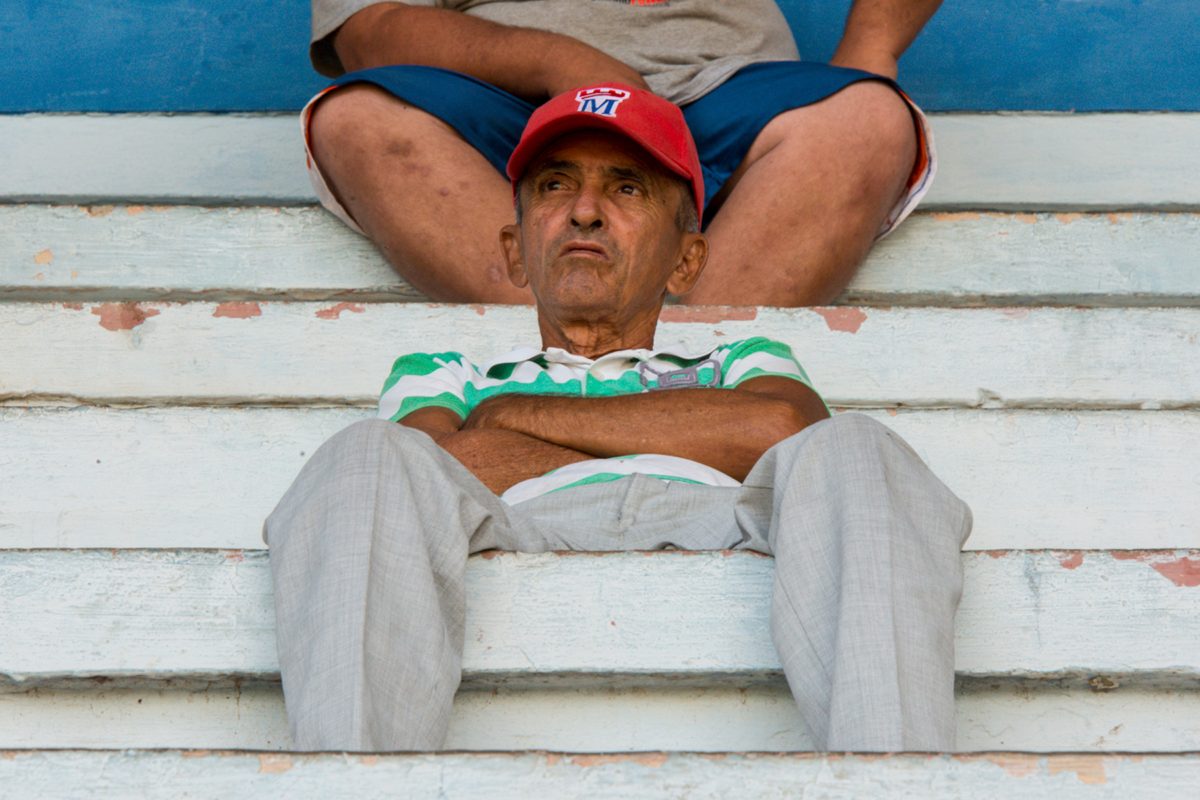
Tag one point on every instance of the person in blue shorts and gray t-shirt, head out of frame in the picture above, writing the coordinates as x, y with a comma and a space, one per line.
806, 165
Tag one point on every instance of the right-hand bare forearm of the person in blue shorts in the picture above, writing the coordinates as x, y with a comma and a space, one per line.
879, 32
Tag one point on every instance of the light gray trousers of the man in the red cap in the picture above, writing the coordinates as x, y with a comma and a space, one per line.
369, 551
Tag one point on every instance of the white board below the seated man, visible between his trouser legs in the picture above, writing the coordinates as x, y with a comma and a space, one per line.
197, 617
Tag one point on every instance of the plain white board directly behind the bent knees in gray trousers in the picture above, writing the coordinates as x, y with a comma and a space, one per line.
146, 478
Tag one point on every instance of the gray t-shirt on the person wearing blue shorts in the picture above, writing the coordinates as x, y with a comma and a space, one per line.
683, 49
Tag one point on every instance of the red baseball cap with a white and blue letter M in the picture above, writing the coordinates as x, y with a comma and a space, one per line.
653, 123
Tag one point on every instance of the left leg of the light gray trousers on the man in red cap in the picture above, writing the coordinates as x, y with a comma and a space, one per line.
369, 552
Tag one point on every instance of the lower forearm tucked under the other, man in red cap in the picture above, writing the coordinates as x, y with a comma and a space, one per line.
505, 459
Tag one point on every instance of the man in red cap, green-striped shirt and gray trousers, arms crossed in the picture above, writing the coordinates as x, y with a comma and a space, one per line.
601, 442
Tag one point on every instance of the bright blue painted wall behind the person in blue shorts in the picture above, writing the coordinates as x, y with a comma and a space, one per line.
229, 56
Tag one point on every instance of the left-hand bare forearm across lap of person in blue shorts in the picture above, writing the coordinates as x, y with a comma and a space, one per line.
532, 64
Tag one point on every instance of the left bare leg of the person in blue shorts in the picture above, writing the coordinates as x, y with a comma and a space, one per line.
430, 202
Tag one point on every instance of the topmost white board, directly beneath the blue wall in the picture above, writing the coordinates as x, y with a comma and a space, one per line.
992, 161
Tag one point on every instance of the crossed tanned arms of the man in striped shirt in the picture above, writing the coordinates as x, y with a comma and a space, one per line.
517, 437
